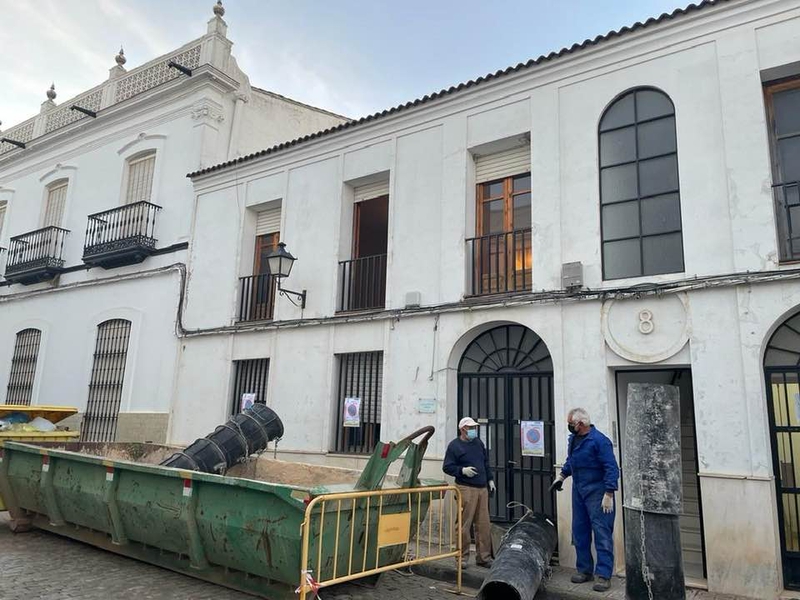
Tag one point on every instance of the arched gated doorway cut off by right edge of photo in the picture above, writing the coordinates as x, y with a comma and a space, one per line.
782, 372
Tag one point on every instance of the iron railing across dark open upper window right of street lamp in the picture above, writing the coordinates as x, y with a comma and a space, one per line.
362, 283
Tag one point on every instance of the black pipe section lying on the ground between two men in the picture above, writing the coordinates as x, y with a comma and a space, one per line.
522, 560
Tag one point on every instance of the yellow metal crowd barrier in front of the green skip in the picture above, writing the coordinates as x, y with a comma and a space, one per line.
409, 509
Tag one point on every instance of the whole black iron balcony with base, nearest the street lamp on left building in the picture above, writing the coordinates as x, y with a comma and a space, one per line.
121, 236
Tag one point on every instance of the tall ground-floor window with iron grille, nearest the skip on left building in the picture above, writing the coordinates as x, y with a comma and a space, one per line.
107, 378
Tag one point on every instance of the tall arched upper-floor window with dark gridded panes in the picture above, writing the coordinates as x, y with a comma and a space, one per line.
640, 210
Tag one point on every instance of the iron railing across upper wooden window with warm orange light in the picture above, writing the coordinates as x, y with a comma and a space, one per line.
501, 263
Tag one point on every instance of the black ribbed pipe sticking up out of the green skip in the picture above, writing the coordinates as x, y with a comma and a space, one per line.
244, 434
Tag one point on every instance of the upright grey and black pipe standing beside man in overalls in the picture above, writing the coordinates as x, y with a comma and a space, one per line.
652, 493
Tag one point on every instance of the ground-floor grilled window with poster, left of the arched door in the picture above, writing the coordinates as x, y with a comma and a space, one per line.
361, 377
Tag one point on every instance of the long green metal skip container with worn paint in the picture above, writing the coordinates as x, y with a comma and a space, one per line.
241, 530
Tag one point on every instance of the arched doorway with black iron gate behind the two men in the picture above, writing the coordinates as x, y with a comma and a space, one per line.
505, 376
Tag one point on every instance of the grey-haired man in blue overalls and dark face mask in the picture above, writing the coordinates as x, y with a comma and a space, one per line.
591, 463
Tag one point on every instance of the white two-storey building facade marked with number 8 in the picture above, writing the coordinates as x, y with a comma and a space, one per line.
620, 211
